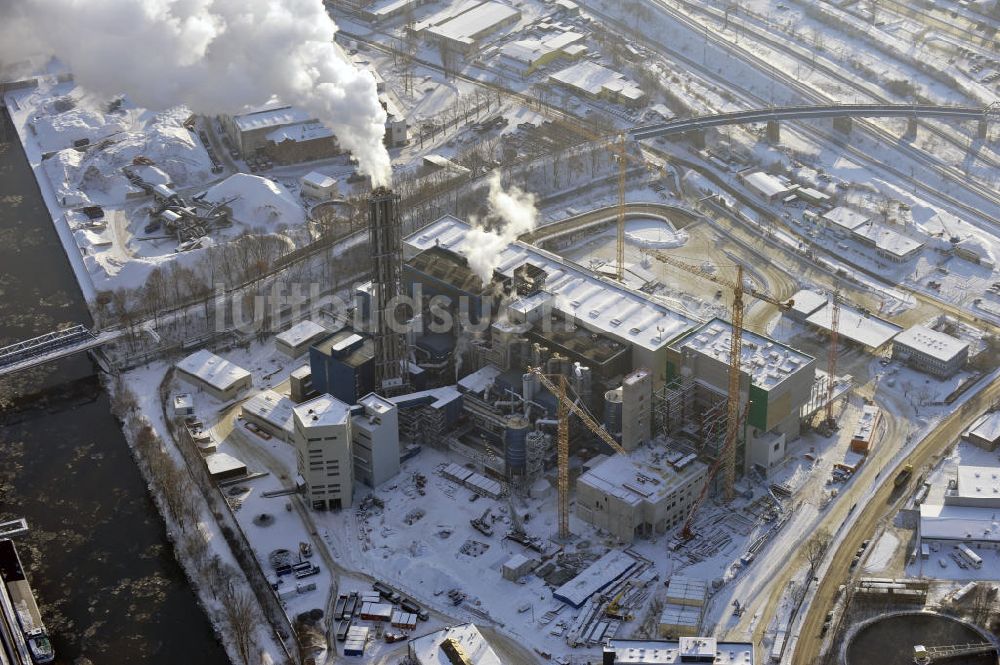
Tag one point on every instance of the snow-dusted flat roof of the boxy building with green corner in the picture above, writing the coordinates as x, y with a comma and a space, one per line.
766, 361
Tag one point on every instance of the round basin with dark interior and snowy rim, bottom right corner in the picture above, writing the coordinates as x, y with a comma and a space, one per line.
889, 640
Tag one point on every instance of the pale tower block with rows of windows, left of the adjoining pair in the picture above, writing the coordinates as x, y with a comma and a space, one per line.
324, 452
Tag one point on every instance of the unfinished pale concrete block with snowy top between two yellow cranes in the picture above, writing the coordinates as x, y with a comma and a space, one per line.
628, 498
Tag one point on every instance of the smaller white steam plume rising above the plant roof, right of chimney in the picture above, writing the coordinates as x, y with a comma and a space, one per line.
514, 211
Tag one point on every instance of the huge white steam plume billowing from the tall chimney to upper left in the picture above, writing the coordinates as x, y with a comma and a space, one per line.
215, 56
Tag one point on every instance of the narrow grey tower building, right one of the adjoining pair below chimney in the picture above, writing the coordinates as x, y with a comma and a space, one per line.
375, 437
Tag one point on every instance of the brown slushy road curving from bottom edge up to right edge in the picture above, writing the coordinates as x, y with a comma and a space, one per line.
879, 506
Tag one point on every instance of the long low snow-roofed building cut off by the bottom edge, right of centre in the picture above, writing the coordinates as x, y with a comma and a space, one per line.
684, 650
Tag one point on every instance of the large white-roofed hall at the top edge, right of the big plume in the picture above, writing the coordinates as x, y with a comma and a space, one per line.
463, 27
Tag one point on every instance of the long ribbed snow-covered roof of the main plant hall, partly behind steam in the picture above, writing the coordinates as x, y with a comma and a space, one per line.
596, 304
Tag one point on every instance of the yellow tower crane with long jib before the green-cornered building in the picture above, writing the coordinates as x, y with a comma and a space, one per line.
733, 420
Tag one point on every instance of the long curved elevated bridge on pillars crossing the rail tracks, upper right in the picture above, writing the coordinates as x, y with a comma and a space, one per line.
777, 114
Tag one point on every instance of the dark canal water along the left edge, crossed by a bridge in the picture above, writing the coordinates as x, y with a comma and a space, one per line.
97, 556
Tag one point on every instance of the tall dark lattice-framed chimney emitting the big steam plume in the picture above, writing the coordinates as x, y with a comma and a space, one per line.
386, 246
